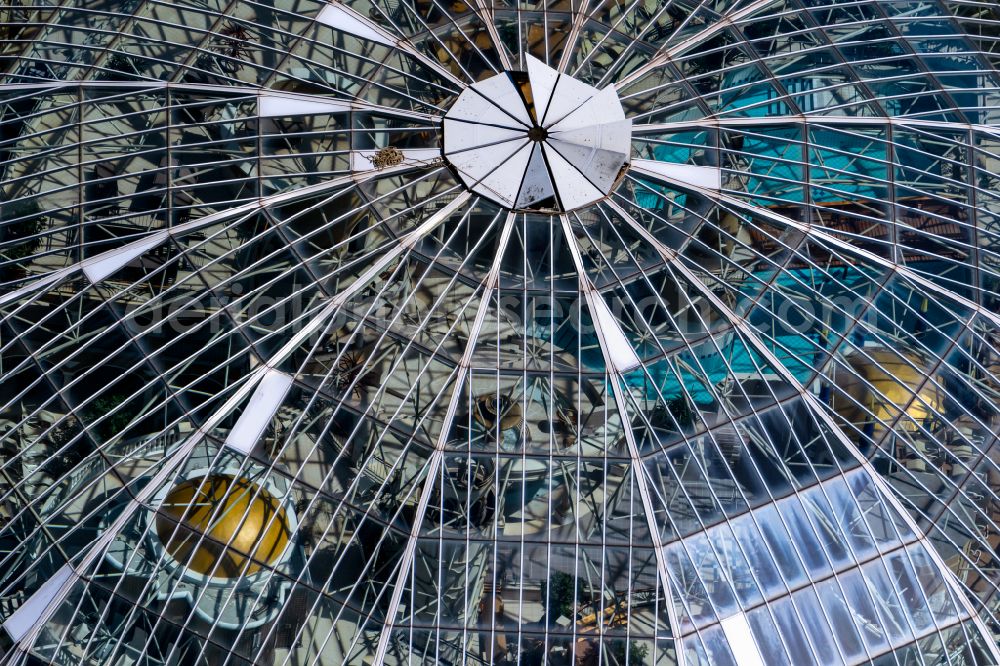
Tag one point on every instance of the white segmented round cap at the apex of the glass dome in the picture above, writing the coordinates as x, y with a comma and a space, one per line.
538, 140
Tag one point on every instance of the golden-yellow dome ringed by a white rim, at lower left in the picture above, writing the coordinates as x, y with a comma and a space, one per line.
244, 527
